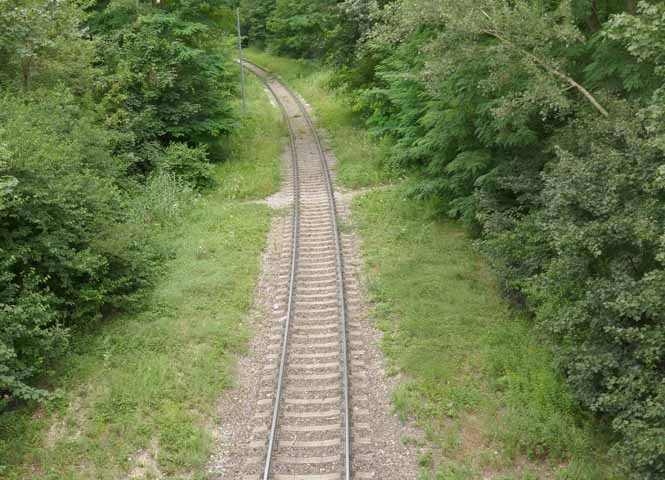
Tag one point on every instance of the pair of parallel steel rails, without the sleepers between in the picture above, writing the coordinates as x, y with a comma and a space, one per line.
339, 275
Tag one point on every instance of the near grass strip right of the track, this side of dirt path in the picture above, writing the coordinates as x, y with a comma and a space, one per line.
478, 380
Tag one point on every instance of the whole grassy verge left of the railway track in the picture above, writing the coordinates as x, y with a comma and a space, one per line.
138, 396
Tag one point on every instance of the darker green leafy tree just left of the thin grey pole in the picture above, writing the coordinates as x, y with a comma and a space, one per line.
163, 81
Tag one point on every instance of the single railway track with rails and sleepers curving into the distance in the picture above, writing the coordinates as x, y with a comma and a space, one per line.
302, 428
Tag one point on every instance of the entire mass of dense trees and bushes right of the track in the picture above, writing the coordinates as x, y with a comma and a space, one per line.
541, 125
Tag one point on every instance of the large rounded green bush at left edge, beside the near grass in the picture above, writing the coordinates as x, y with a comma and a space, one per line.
68, 254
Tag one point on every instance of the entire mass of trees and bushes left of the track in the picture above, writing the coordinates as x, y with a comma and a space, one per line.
110, 116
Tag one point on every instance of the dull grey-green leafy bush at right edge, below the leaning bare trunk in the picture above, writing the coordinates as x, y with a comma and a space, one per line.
604, 215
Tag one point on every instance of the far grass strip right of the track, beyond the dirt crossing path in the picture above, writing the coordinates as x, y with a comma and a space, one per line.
361, 162
